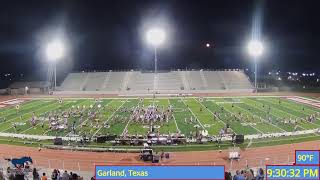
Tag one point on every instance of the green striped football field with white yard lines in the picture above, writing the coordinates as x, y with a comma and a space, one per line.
244, 115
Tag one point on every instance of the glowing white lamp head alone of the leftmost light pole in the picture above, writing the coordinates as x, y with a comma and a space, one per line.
55, 50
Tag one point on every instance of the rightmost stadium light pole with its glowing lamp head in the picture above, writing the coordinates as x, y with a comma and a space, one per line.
255, 50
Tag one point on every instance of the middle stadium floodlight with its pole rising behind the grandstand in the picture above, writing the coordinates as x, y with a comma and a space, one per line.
155, 37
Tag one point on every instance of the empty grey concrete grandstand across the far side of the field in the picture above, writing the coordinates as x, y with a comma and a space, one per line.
163, 82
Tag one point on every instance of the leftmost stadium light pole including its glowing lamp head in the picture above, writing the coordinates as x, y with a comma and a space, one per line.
54, 52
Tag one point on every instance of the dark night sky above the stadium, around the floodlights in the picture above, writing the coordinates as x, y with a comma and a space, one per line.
105, 34
